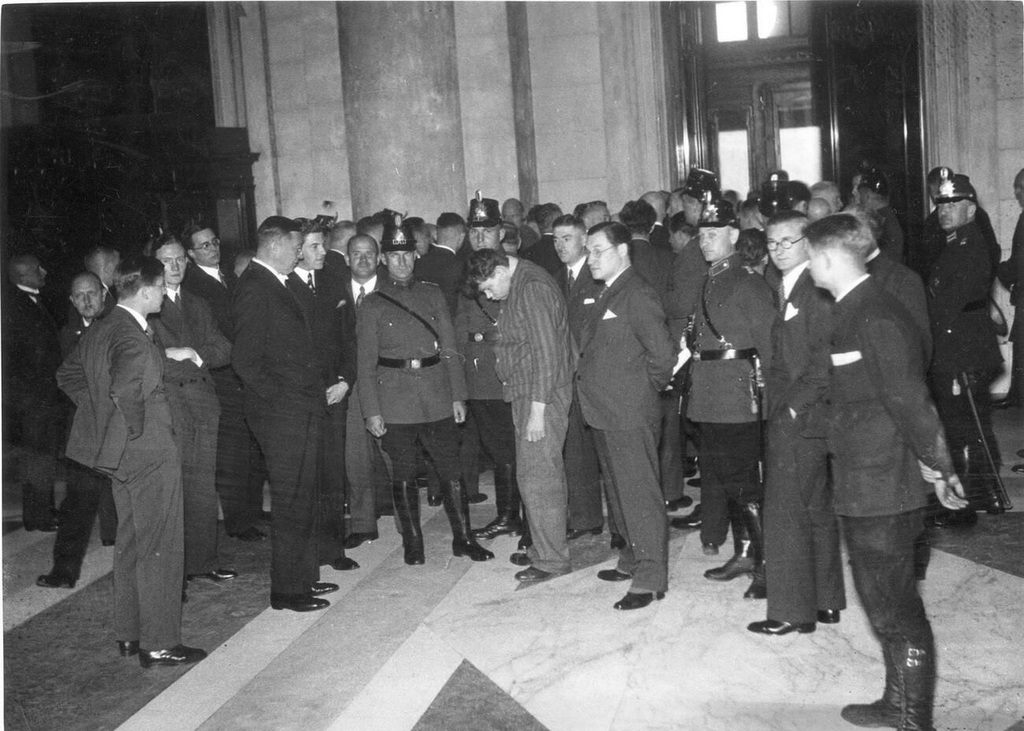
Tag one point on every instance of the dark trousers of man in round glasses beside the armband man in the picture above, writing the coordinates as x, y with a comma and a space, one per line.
802, 555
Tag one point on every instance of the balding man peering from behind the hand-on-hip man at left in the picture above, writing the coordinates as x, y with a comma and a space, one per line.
89, 492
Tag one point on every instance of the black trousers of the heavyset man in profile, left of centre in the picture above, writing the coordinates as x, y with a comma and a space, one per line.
290, 436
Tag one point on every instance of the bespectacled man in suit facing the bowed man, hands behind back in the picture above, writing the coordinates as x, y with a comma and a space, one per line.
627, 359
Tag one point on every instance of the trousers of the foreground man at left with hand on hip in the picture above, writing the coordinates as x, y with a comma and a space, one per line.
149, 561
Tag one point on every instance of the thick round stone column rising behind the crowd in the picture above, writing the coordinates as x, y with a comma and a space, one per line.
403, 117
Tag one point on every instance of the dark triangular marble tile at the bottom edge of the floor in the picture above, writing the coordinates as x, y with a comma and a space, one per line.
472, 701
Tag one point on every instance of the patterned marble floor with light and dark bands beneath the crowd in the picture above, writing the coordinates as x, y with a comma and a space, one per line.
459, 646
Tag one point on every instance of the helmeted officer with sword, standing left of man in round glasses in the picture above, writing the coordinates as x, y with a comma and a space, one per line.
733, 345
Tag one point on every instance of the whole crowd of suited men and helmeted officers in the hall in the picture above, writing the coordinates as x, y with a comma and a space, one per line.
580, 357
